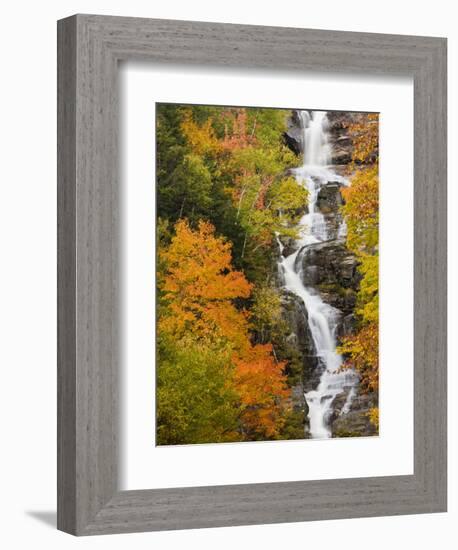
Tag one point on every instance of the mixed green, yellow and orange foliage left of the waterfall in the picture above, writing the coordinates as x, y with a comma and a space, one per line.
223, 194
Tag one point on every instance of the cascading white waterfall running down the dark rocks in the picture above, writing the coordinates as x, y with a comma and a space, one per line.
322, 318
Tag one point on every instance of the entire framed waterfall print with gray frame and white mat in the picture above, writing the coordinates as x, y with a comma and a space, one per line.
252, 275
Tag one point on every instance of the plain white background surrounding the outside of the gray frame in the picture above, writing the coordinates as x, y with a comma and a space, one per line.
28, 218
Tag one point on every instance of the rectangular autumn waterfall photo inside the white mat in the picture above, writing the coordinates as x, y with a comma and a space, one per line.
267, 274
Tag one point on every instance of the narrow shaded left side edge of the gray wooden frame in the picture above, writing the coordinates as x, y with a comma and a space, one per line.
66, 275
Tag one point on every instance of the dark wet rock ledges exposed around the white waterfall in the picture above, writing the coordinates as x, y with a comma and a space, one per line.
331, 270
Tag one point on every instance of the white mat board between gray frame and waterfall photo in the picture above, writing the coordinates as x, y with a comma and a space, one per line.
389, 454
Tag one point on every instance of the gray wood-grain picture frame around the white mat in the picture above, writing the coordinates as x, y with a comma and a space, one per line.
89, 49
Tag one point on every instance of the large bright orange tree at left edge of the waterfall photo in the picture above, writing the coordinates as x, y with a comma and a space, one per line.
200, 285
